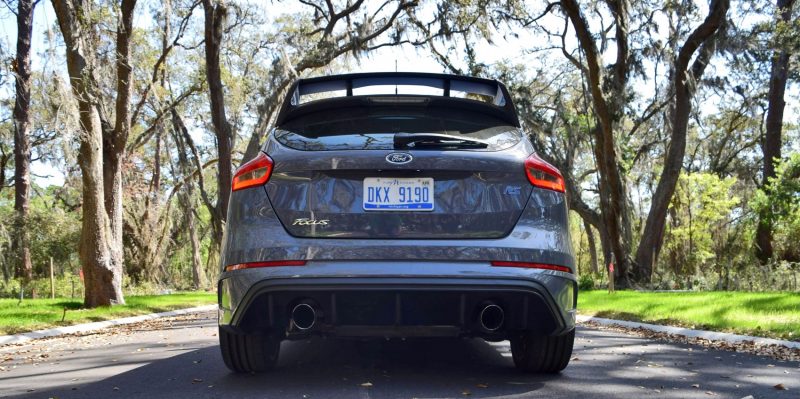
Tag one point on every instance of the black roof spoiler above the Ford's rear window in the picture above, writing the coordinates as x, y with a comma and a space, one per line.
337, 90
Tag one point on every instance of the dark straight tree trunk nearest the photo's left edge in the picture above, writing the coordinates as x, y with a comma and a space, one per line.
22, 145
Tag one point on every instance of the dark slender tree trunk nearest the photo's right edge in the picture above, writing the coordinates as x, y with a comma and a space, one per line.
772, 138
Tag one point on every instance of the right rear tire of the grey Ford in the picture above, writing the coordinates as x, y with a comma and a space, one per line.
542, 354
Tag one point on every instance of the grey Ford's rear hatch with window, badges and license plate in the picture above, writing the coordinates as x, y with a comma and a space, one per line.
398, 167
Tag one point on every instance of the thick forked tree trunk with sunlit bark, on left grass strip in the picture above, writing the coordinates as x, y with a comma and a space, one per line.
102, 147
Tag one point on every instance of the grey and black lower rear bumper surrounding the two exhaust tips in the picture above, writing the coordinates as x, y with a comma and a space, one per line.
396, 299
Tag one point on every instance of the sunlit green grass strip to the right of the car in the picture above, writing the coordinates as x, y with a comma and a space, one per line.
766, 314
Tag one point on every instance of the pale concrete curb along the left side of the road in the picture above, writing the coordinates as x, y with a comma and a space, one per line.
54, 332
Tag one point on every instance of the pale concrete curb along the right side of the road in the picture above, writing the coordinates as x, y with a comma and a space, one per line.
689, 333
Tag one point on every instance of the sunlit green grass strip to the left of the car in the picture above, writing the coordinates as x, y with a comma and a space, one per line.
36, 314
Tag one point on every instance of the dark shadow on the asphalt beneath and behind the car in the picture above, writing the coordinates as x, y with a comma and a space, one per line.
329, 368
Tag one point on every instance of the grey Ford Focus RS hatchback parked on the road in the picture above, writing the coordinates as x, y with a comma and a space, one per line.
394, 205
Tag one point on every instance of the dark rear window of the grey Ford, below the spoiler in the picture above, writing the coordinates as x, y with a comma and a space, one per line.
357, 128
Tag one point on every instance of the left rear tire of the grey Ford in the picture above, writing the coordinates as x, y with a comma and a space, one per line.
248, 353
